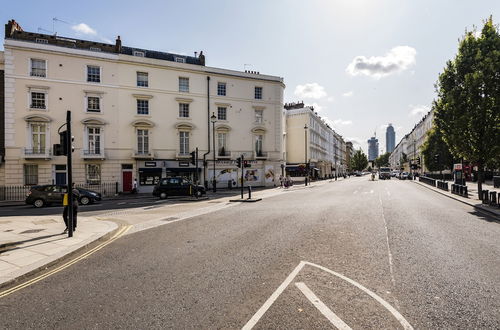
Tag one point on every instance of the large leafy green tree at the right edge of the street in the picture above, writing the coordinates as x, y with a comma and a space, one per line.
467, 110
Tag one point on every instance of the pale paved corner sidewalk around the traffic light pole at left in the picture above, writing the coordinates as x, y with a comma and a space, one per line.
29, 244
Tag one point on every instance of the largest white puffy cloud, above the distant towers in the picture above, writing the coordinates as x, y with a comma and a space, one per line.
396, 60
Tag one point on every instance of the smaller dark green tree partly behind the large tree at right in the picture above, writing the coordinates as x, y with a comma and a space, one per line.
437, 155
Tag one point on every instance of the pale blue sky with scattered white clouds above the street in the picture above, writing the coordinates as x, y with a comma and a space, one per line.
362, 63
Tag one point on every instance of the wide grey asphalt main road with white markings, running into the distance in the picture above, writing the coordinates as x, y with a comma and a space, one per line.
353, 253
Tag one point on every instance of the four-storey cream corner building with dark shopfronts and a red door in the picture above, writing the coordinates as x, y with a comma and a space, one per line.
136, 114
